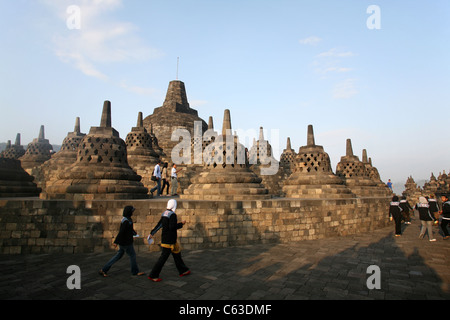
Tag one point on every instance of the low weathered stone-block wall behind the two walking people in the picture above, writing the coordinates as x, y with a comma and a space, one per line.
38, 226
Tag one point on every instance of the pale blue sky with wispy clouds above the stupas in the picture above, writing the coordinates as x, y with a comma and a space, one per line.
376, 72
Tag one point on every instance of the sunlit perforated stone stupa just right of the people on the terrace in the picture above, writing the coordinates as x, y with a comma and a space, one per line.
226, 175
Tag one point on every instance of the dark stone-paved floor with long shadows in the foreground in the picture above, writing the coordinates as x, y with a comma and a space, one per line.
320, 269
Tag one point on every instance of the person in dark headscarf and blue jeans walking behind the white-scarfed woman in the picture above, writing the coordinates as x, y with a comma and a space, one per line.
124, 240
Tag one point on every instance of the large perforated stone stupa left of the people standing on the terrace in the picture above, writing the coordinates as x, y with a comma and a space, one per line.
101, 170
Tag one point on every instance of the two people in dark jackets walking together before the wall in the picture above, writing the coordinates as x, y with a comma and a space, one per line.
169, 243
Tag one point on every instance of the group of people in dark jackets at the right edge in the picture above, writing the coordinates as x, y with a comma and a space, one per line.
429, 211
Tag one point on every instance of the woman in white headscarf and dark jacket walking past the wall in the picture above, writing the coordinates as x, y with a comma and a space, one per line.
169, 243
